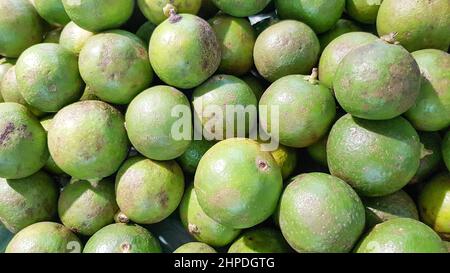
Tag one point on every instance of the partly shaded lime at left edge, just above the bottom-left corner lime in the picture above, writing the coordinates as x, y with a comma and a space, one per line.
27, 201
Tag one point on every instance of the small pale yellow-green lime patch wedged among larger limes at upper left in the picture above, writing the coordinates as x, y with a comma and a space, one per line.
74, 37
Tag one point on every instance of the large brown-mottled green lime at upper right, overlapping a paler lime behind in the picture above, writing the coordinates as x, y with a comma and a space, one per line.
377, 81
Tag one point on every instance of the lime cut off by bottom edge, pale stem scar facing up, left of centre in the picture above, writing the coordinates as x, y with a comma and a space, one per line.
122, 238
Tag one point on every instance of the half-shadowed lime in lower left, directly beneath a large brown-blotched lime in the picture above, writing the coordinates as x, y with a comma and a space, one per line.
86, 207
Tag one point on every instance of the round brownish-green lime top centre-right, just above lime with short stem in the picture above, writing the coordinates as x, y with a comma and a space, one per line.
277, 53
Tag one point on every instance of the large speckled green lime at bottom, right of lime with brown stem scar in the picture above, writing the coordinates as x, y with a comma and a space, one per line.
321, 213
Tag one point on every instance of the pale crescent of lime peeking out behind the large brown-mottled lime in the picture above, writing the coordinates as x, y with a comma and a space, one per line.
336, 50
